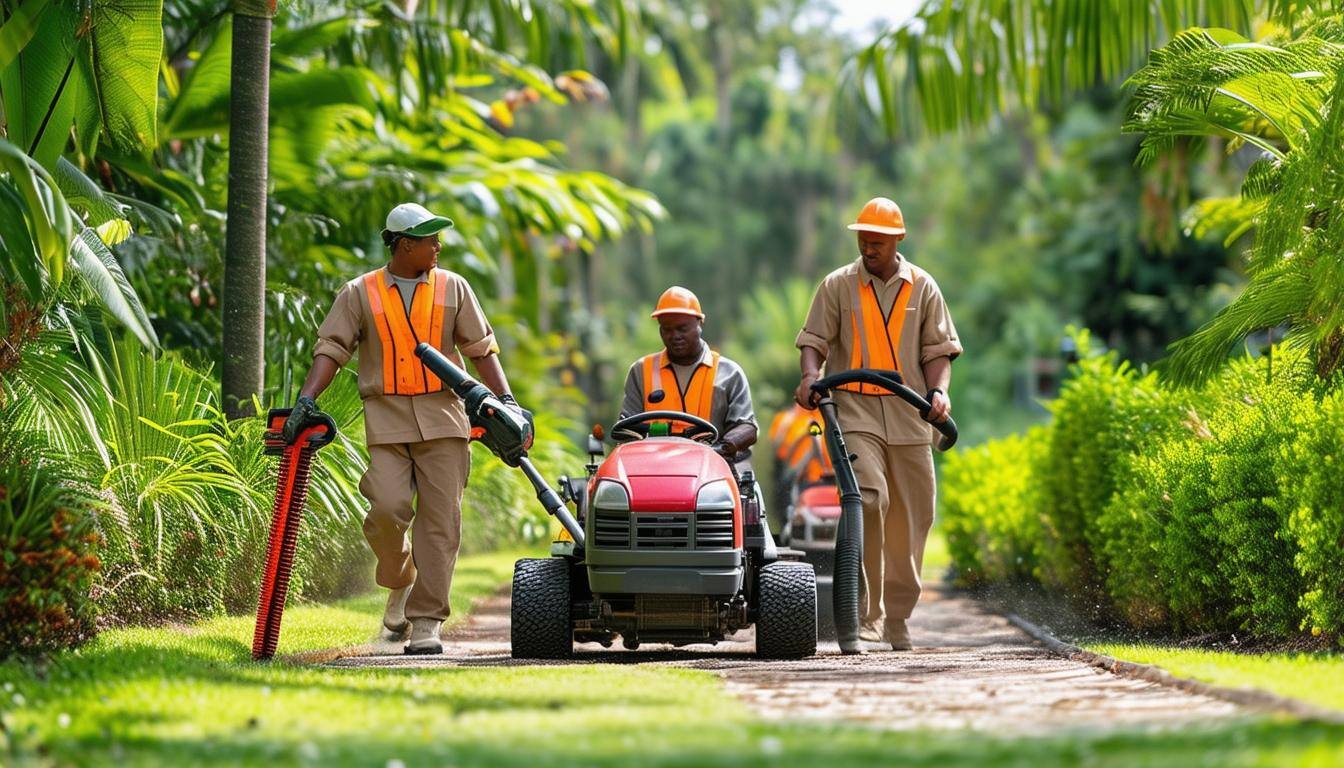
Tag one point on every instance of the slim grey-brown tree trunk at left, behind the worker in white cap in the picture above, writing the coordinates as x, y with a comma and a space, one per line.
245, 240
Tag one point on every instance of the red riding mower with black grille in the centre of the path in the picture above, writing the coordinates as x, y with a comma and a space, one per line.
669, 547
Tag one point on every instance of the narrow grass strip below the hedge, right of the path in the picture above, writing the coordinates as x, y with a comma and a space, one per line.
1316, 679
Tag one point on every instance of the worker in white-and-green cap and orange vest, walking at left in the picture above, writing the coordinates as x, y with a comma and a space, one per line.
416, 427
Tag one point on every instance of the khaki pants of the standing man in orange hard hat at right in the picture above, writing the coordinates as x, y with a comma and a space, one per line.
897, 484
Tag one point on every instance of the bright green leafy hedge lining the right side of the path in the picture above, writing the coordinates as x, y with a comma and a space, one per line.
1209, 510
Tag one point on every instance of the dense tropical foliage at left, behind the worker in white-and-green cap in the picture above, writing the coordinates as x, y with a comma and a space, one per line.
114, 184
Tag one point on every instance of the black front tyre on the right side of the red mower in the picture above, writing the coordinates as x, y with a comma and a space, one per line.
787, 623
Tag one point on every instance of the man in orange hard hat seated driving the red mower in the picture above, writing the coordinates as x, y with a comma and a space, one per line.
690, 377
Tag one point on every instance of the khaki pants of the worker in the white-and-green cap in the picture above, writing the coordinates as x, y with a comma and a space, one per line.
433, 475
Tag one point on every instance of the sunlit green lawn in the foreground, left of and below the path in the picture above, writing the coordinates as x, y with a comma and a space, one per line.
192, 696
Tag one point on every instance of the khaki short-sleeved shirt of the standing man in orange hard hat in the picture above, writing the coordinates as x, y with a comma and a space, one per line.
928, 334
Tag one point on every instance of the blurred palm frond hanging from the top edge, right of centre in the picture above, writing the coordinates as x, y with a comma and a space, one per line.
960, 64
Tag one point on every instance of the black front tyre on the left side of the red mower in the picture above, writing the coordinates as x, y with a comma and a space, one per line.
540, 619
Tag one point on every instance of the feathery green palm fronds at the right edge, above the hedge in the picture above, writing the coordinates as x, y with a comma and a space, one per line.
1283, 98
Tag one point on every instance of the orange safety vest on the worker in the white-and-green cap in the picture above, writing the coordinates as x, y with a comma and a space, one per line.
401, 332
